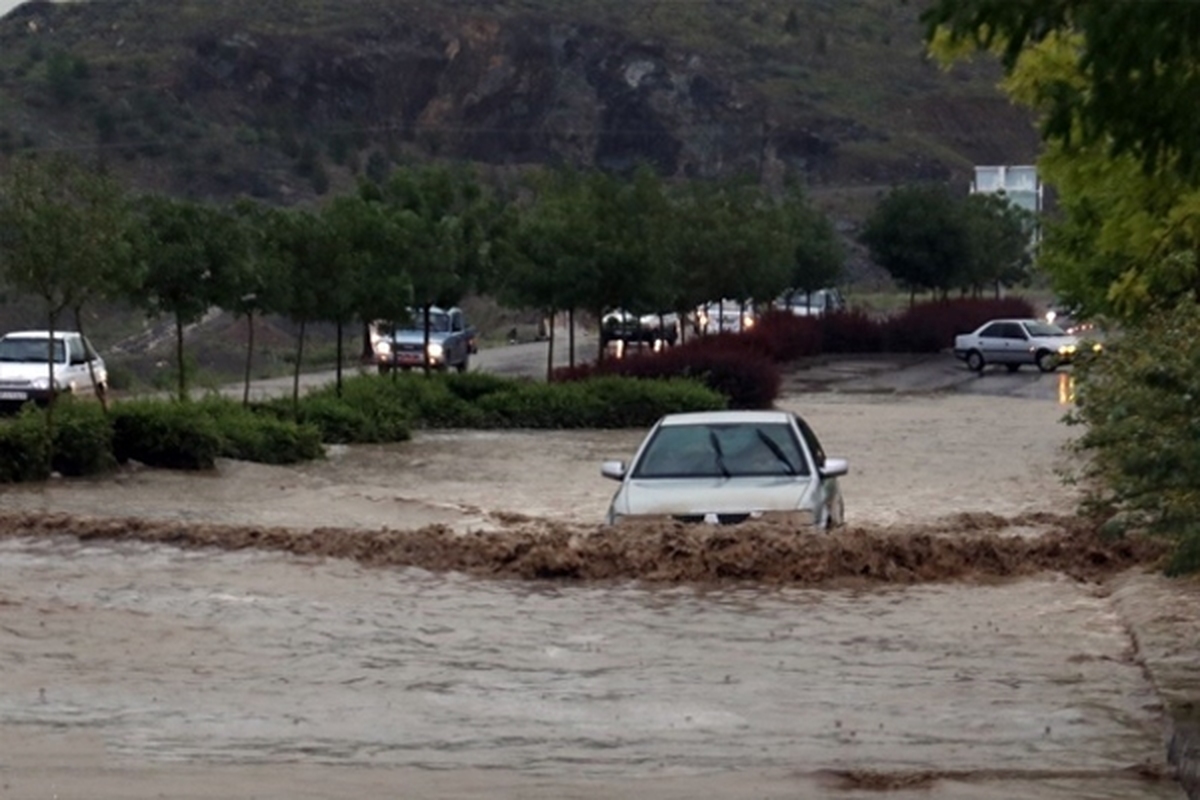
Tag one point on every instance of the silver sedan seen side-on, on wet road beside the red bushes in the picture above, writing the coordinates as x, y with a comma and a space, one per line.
1013, 342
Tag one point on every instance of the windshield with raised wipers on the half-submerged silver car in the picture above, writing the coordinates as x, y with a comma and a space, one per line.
728, 450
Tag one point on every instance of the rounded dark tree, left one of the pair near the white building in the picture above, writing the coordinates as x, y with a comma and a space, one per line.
920, 236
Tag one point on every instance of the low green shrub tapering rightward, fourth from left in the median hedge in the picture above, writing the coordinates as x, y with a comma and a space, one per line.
261, 438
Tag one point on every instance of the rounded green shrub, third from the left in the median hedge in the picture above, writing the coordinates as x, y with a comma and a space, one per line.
165, 434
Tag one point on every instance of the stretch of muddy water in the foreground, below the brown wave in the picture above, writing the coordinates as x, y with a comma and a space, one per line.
247, 659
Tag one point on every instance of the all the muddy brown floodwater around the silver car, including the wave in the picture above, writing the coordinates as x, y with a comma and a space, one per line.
208, 652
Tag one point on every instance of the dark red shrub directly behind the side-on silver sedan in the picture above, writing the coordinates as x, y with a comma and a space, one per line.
932, 327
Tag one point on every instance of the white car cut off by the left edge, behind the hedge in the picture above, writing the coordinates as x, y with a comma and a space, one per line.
26, 372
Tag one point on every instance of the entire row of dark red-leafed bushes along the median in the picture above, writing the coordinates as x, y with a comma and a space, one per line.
745, 369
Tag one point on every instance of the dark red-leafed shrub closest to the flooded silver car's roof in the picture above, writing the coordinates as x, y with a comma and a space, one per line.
724, 364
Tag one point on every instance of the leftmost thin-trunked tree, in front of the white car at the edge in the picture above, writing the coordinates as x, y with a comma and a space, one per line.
63, 238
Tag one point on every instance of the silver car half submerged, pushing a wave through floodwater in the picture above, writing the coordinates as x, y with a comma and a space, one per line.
727, 468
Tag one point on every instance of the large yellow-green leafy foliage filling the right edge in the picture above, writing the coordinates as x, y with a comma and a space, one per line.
1115, 85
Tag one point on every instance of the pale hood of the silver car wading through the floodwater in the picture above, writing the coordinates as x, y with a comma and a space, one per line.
699, 496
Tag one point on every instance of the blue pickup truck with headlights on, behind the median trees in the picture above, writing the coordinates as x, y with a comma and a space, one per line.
400, 347
